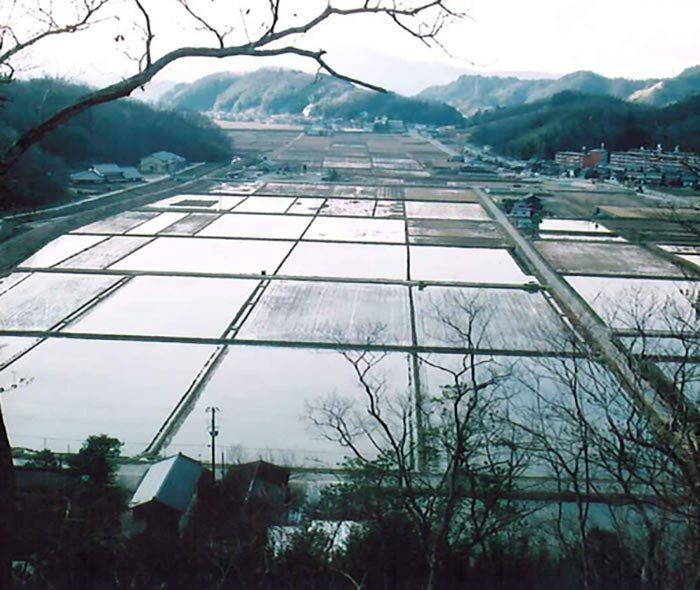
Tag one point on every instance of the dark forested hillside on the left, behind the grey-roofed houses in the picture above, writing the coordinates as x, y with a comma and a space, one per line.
122, 132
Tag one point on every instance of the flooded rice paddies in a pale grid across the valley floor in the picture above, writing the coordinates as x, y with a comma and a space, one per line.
242, 298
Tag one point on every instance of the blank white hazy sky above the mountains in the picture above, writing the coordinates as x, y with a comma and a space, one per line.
630, 38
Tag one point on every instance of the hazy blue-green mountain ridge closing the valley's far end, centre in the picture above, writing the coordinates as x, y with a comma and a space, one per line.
268, 91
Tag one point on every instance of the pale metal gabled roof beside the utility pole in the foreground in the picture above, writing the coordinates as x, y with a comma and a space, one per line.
171, 482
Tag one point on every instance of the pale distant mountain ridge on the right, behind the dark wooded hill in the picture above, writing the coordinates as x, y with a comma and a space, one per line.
472, 93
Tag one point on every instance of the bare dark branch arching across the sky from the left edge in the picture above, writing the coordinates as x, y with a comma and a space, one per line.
252, 29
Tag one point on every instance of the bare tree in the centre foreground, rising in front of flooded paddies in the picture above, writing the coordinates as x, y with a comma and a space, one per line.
453, 468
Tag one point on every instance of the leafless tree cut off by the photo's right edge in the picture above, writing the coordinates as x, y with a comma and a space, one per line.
663, 341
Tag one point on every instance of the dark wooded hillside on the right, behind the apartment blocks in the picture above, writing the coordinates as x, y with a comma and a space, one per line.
572, 120
